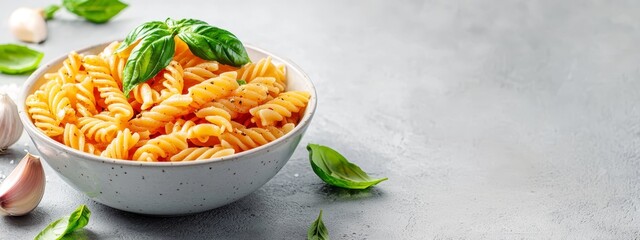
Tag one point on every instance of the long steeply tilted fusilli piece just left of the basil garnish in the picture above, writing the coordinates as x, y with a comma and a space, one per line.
109, 90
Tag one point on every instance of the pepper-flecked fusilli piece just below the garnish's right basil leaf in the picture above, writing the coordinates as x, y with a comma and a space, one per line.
214, 88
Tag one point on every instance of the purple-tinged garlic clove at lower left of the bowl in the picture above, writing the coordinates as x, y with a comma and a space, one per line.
23, 189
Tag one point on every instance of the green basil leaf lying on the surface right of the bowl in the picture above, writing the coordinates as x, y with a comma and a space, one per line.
336, 170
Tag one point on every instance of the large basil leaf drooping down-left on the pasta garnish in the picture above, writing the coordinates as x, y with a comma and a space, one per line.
150, 56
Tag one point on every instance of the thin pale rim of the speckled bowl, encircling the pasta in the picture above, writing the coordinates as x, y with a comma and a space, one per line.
33, 132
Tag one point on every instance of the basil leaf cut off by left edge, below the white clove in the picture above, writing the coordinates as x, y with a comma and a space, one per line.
18, 59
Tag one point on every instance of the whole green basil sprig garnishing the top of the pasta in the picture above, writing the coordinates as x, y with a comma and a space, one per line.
156, 47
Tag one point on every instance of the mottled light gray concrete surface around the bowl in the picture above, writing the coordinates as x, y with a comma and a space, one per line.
492, 120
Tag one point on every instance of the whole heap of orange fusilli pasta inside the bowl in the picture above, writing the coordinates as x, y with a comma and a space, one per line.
192, 110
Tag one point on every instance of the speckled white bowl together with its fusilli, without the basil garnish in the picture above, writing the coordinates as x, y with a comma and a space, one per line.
197, 136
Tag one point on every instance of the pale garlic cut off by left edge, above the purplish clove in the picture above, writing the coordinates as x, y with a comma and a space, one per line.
10, 125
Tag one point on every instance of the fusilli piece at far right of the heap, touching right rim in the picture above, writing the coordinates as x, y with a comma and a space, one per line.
279, 108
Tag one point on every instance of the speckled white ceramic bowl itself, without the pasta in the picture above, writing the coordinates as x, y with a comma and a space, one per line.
168, 188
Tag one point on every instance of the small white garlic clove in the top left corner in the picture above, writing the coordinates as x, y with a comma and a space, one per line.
28, 25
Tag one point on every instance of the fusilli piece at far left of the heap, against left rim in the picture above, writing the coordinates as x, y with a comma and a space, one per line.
39, 111
